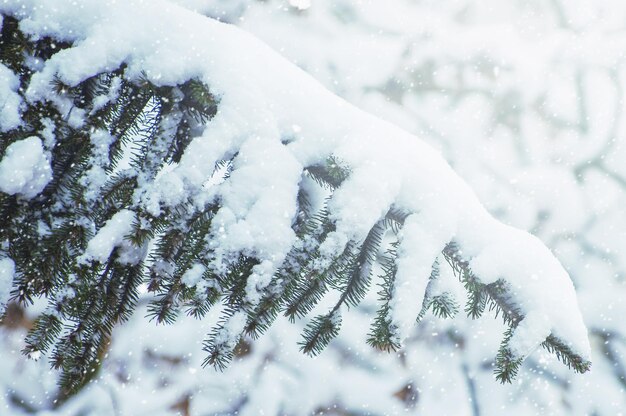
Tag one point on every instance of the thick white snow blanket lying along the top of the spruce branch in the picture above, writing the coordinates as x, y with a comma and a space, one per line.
262, 97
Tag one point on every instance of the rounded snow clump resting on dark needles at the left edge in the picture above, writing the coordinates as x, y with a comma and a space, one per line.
25, 169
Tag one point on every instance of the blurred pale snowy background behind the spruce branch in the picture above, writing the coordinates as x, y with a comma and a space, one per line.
525, 99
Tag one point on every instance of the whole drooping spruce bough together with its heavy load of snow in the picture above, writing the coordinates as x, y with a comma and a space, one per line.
252, 184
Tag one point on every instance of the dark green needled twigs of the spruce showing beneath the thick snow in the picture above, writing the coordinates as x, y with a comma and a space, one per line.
89, 236
